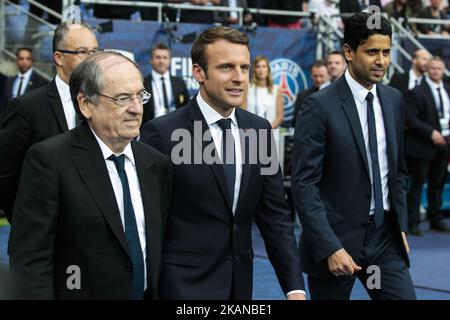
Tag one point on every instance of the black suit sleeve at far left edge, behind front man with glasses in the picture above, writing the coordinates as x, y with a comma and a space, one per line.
15, 139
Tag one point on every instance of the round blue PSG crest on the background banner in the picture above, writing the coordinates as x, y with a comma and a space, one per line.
290, 78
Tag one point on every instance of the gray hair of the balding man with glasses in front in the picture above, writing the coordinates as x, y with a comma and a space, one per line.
87, 78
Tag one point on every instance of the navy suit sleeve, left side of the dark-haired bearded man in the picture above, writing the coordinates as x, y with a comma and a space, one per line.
308, 156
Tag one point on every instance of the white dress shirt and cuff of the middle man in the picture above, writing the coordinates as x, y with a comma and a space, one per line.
211, 116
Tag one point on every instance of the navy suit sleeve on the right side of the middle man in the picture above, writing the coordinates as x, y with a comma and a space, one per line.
277, 229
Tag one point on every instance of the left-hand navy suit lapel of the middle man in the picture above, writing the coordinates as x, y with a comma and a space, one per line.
196, 117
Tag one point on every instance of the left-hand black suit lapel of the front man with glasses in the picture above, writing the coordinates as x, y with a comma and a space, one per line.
89, 161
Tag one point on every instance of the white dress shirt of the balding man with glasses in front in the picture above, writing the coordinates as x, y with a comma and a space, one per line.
135, 192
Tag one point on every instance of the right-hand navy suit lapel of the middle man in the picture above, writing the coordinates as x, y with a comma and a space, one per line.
245, 148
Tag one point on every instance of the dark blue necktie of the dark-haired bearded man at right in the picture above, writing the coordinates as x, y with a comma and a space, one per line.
376, 175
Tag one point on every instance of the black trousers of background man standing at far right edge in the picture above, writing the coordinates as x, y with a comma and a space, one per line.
434, 172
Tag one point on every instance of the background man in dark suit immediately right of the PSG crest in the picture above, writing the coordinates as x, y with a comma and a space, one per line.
320, 78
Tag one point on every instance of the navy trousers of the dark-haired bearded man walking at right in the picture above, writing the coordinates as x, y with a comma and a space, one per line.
381, 249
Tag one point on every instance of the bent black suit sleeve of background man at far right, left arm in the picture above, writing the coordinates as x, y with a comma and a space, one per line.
415, 125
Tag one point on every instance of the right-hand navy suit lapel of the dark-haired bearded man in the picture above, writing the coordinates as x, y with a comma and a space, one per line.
389, 127
